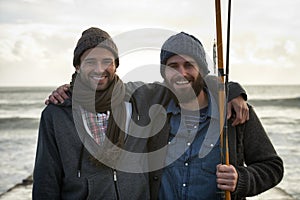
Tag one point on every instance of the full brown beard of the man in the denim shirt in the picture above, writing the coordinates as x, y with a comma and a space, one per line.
187, 94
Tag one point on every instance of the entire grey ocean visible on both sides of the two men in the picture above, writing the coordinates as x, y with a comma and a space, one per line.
20, 108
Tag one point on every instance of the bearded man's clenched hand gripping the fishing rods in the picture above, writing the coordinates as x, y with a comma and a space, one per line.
226, 177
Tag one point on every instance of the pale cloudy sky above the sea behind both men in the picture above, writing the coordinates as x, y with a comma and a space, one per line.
38, 37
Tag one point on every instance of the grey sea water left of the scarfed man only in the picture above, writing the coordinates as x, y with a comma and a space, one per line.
20, 110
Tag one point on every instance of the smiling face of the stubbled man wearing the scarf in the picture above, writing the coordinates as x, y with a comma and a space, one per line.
97, 68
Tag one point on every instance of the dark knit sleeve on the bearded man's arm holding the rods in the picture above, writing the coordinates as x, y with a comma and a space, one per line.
263, 168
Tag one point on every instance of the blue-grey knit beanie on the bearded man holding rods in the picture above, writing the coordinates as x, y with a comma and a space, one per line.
185, 44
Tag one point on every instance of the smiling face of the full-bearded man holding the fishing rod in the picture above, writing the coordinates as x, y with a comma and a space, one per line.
183, 76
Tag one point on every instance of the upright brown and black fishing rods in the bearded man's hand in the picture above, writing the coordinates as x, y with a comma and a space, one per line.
223, 93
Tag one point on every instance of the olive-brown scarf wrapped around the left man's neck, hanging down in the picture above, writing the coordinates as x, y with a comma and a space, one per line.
112, 98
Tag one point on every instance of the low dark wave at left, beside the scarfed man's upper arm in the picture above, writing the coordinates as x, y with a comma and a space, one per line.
18, 123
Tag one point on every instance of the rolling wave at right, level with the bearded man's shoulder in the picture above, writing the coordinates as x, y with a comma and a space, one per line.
282, 102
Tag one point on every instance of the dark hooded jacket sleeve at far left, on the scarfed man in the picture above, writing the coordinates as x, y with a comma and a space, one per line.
47, 170
